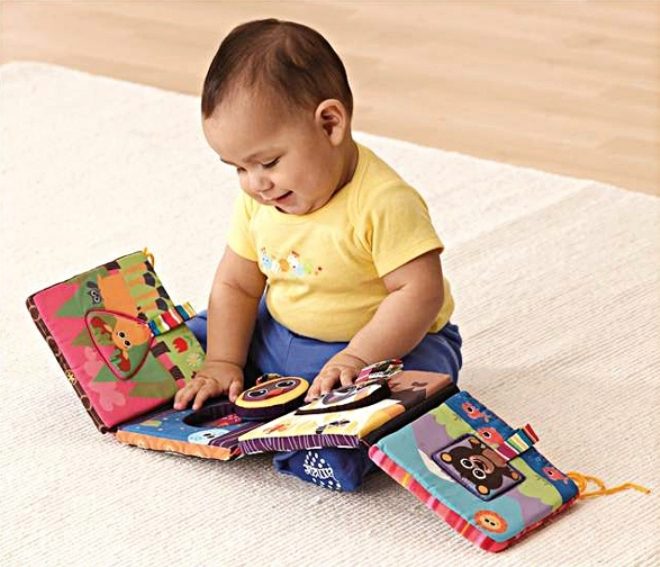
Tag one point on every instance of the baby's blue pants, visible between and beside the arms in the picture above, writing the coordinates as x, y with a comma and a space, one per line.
276, 349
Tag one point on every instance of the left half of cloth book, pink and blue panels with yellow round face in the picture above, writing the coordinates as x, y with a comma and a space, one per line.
124, 346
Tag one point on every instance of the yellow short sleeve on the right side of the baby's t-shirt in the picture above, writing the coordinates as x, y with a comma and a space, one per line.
397, 227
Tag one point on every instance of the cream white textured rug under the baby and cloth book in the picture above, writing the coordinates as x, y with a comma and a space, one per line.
556, 283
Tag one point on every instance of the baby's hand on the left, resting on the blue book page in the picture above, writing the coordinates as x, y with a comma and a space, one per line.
213, 379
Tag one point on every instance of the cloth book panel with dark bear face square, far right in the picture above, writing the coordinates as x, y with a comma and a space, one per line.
484, 478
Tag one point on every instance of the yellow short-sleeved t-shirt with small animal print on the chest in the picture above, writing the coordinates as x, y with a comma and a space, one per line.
324, 269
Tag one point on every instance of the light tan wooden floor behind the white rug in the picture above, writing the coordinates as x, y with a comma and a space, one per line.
566, 86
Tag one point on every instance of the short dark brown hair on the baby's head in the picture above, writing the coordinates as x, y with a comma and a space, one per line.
291, 62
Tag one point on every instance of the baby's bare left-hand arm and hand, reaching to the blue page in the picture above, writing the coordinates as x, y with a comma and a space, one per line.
237, 288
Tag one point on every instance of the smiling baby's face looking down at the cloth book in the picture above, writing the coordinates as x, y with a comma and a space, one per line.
281, 161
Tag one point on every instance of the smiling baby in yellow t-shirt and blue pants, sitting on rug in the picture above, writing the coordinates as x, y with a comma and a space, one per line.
332, 261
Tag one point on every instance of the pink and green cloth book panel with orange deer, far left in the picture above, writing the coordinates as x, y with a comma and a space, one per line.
119, 338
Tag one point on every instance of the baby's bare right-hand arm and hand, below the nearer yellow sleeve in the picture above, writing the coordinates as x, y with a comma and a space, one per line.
415, 296
